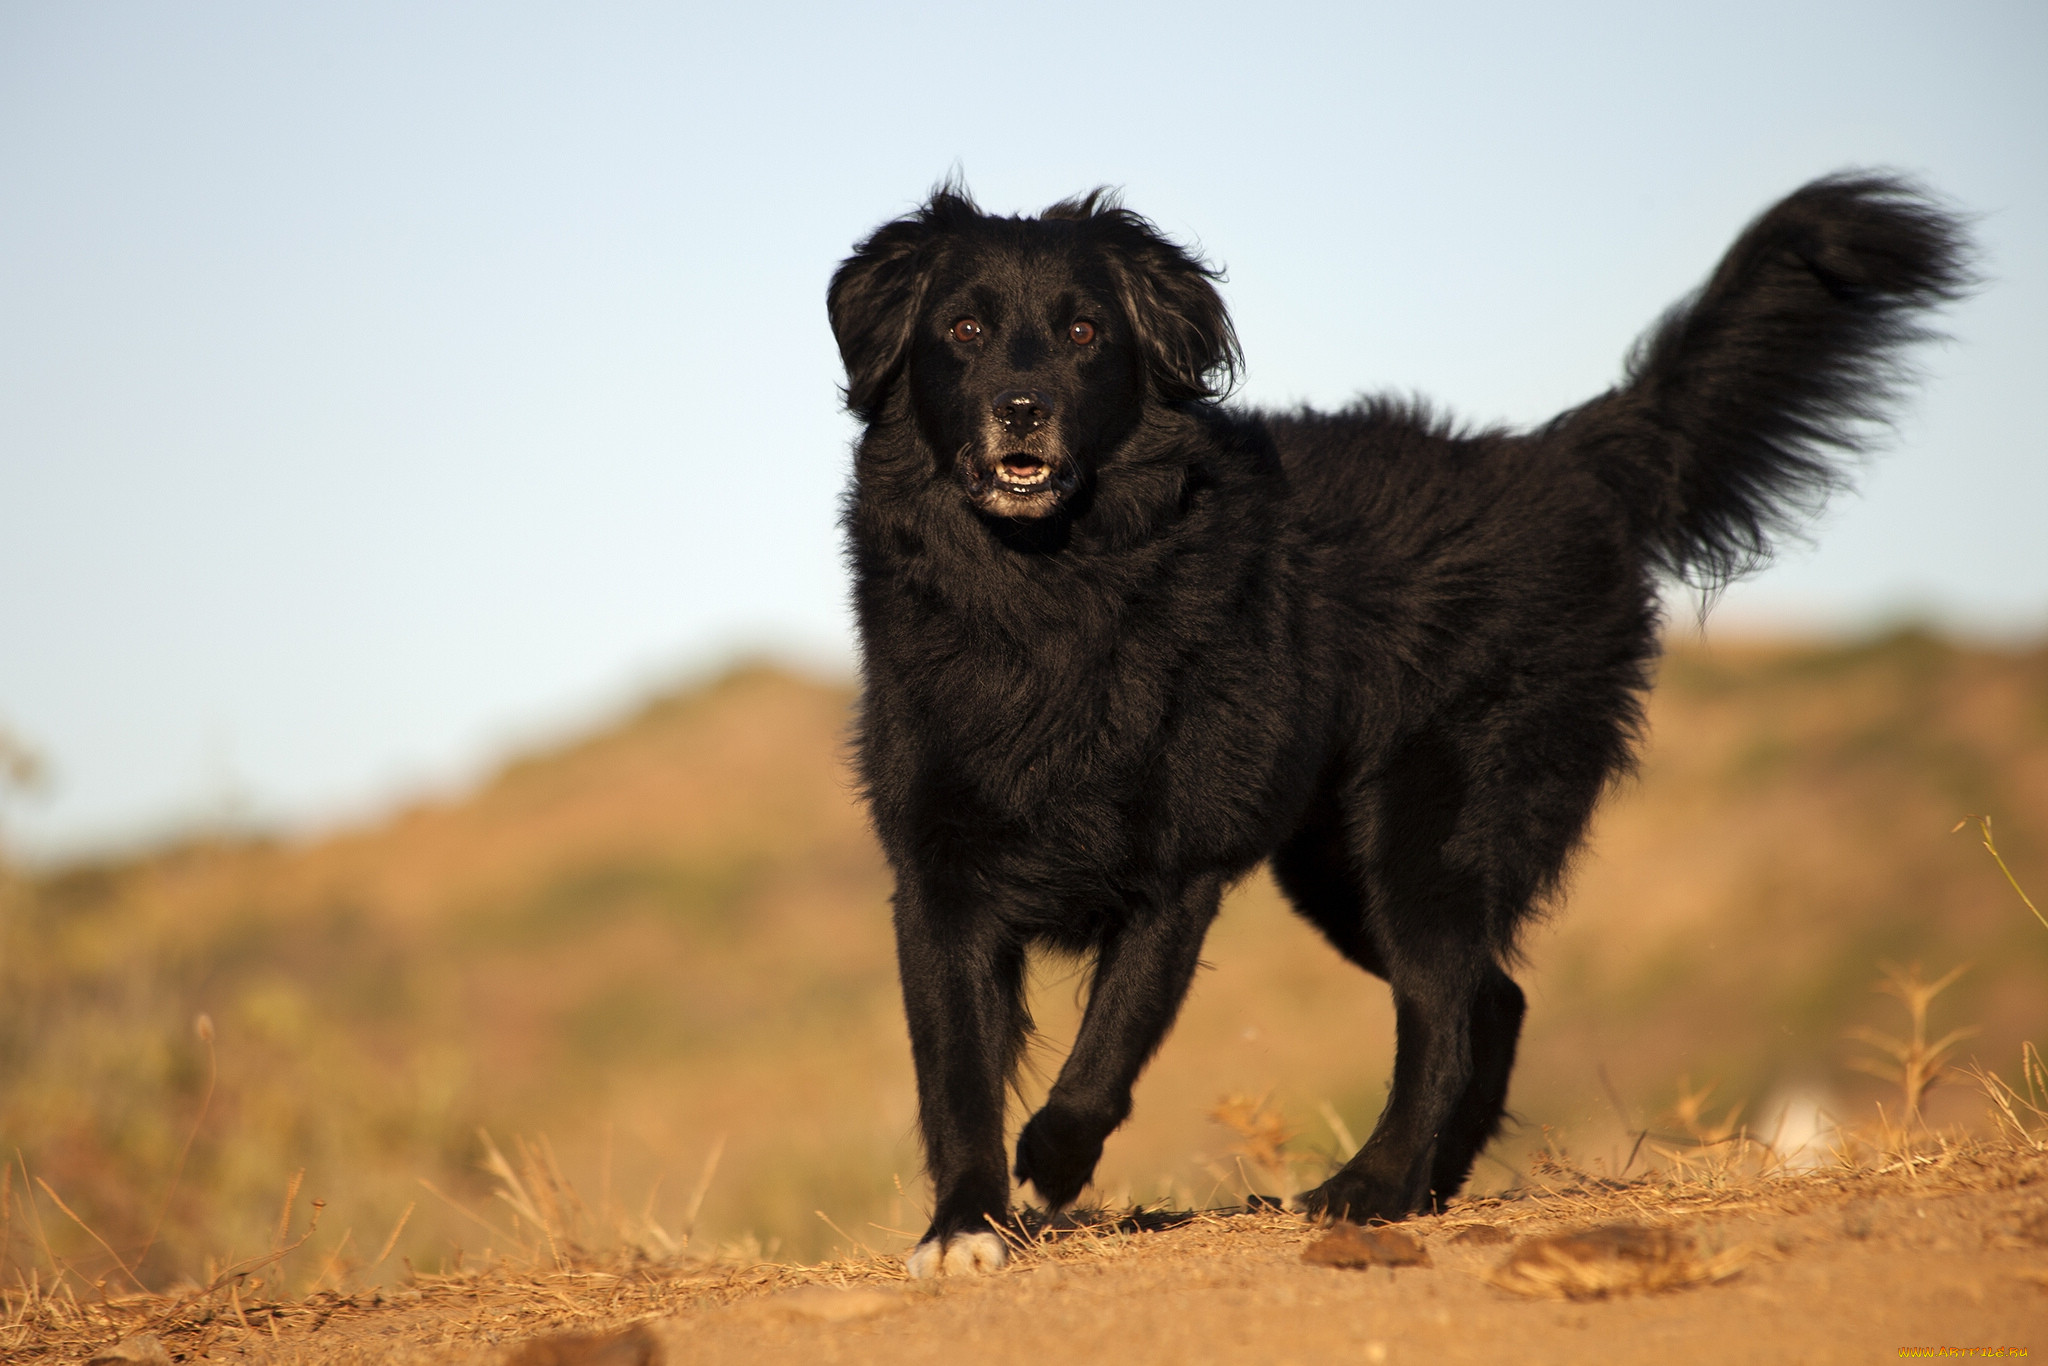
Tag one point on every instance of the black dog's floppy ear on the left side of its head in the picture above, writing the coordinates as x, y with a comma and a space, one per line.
876, 296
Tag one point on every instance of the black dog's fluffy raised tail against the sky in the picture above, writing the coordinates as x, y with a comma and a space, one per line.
1744, 404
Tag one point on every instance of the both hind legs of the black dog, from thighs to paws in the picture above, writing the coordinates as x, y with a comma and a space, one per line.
1447, 847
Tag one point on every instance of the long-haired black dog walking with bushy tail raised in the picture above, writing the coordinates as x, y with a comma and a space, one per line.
1121, 642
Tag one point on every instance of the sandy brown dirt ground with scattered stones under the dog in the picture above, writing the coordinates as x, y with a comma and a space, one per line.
1940, 1250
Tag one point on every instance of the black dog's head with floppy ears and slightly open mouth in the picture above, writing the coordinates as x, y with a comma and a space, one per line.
1027, 349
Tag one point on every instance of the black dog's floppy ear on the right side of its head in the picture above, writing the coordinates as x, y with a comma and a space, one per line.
1170, 298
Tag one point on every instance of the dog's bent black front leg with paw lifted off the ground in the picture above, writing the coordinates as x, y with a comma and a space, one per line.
1142, 978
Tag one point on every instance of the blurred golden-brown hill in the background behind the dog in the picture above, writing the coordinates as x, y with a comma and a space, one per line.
669, 945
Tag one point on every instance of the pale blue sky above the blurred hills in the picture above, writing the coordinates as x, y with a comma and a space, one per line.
386, 384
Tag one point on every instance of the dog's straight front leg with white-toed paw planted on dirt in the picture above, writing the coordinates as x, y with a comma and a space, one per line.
964, 996
